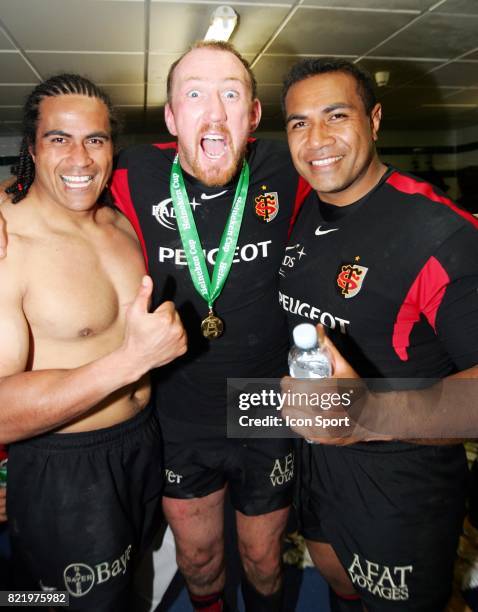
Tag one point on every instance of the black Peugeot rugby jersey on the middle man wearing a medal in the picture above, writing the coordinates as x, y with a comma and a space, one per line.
255, 339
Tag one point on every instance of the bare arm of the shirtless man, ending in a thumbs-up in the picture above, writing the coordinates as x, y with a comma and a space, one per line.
38, 401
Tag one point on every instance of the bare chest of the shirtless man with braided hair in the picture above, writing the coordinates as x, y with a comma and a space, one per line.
77, 288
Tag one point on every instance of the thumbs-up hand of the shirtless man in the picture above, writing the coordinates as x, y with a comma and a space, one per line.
152, 339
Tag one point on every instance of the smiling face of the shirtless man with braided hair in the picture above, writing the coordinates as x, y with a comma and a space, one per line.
73, 152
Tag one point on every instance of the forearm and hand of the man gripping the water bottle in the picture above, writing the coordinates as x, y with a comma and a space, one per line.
443, 413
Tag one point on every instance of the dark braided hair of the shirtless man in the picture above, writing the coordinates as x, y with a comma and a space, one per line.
59, 85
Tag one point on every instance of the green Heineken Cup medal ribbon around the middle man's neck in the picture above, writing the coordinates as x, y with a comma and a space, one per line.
208, 289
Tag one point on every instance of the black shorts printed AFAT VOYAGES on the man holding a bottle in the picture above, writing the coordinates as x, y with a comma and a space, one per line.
392, 512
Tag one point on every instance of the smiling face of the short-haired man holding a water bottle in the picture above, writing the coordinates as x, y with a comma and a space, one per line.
332, 138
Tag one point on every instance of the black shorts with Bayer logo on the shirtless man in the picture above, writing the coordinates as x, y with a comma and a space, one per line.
82, 507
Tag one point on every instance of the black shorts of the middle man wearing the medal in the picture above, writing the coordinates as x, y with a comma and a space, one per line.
200, 460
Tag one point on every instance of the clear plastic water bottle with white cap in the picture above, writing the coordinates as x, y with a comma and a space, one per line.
308, 358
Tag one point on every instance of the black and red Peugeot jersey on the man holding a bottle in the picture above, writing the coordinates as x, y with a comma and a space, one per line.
394, 278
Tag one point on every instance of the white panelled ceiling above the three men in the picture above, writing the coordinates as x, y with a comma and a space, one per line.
430, 48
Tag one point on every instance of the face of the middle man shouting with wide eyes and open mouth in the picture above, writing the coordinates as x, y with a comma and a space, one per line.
211, 113
